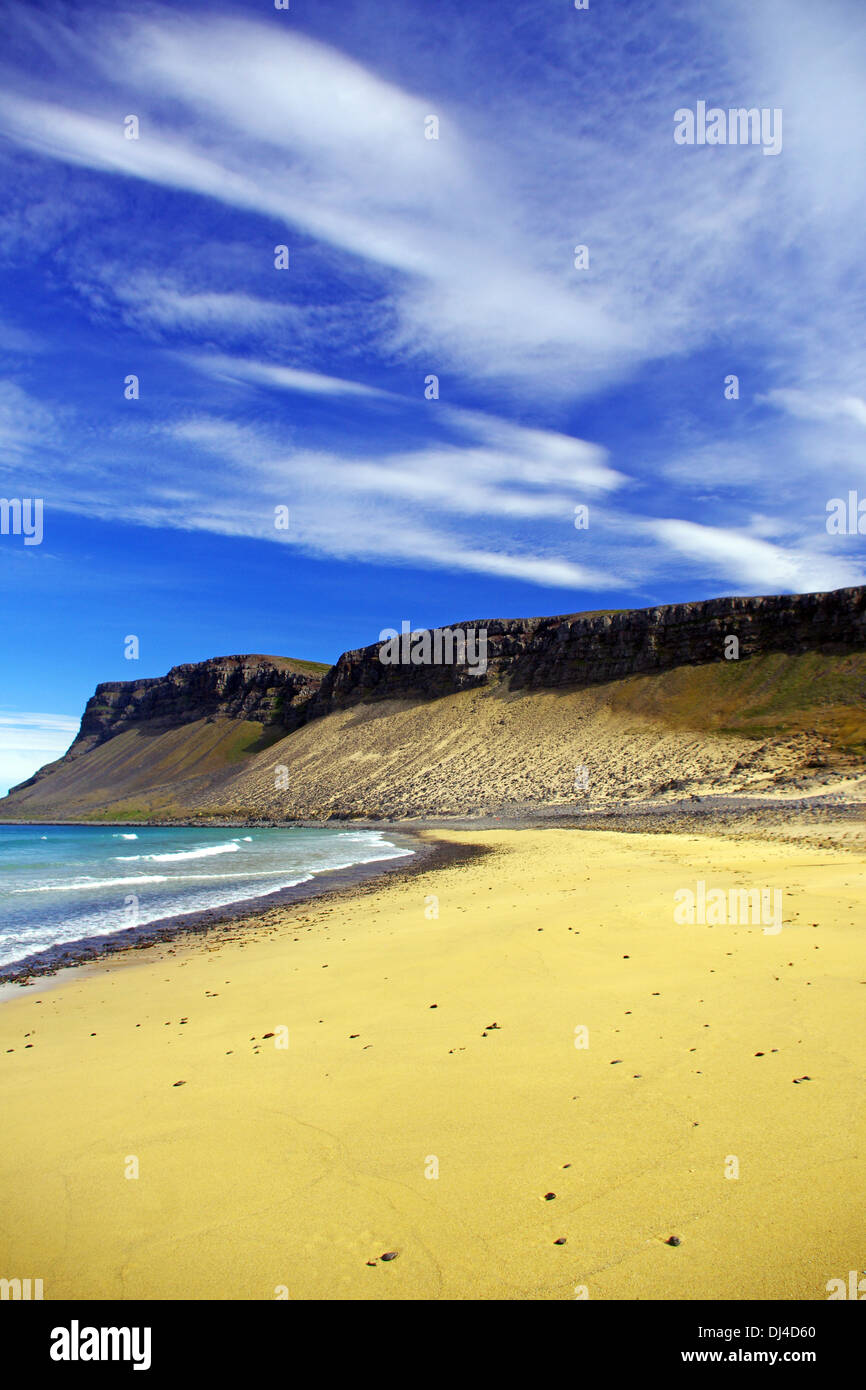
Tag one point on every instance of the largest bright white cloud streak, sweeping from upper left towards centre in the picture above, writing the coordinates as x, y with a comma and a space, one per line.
341, 155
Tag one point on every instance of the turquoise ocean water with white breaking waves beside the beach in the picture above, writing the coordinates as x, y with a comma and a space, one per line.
62, 883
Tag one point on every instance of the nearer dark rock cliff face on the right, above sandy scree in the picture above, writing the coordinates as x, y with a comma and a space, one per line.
573, 651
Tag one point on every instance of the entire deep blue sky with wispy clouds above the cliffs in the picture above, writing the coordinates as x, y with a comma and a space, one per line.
411, 258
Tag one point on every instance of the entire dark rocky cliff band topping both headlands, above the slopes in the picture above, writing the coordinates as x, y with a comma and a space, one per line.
541, 654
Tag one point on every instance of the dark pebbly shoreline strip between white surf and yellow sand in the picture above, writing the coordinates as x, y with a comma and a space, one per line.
332, 883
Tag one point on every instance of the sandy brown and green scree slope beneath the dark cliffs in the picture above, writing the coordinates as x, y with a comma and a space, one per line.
526, 743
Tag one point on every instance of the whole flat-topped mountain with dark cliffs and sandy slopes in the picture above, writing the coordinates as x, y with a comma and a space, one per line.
653, 703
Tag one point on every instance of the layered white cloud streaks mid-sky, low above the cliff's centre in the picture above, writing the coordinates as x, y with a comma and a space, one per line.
368, 508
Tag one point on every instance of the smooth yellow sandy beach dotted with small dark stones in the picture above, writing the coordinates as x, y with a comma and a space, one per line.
432, 1100
